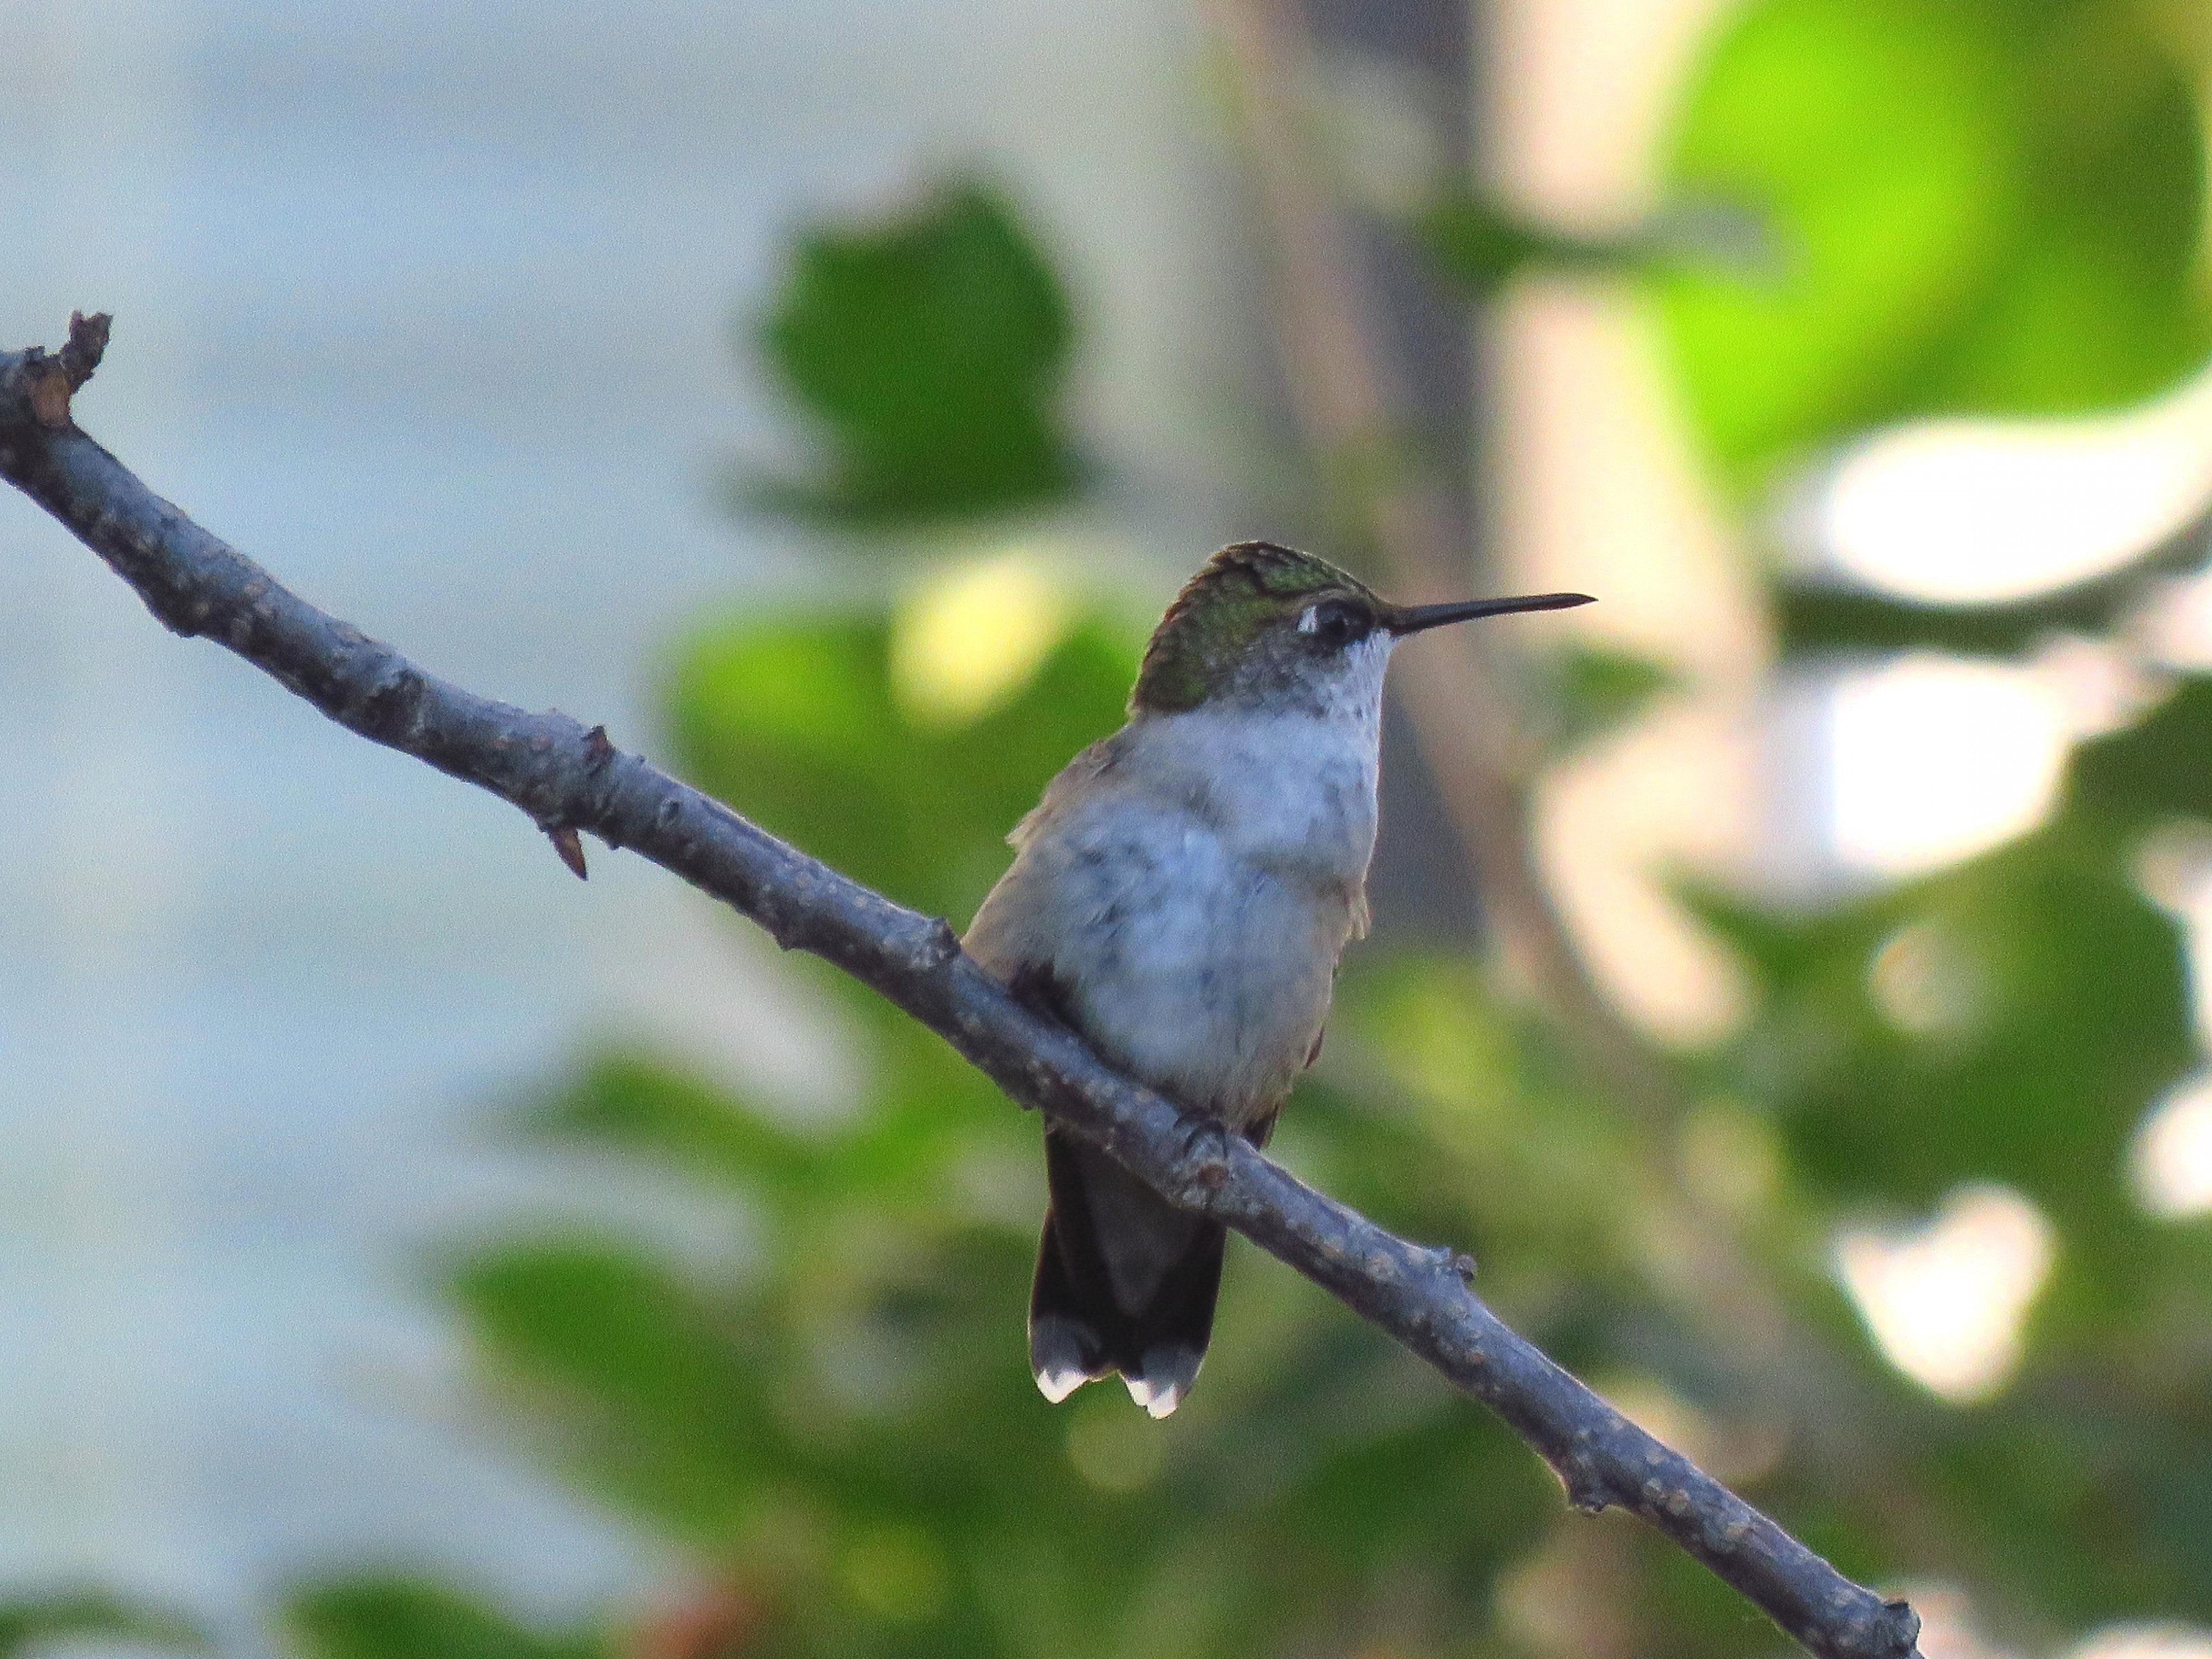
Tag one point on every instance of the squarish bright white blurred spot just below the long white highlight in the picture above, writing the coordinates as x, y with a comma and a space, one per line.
1934, 760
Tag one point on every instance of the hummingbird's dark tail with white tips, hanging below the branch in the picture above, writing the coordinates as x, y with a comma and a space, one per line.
1125, 1284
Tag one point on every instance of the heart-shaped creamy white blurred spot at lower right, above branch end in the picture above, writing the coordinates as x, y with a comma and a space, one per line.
1948, 1302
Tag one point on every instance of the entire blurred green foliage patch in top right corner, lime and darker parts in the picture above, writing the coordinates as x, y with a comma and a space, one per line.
1981, 205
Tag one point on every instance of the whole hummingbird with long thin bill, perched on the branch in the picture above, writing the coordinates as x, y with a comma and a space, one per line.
1180, 899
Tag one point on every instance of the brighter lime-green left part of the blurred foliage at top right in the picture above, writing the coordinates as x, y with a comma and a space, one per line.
1872, 136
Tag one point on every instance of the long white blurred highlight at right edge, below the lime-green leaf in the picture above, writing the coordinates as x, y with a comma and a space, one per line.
1959, 512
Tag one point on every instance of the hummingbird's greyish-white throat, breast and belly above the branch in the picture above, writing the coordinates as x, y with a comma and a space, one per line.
1191, 886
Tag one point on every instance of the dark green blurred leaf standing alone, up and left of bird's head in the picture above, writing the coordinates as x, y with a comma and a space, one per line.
930, 353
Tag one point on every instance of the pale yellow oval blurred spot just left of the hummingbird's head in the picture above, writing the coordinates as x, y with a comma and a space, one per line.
972, 636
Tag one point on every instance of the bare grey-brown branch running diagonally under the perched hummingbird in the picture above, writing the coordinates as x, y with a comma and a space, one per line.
567, 778
